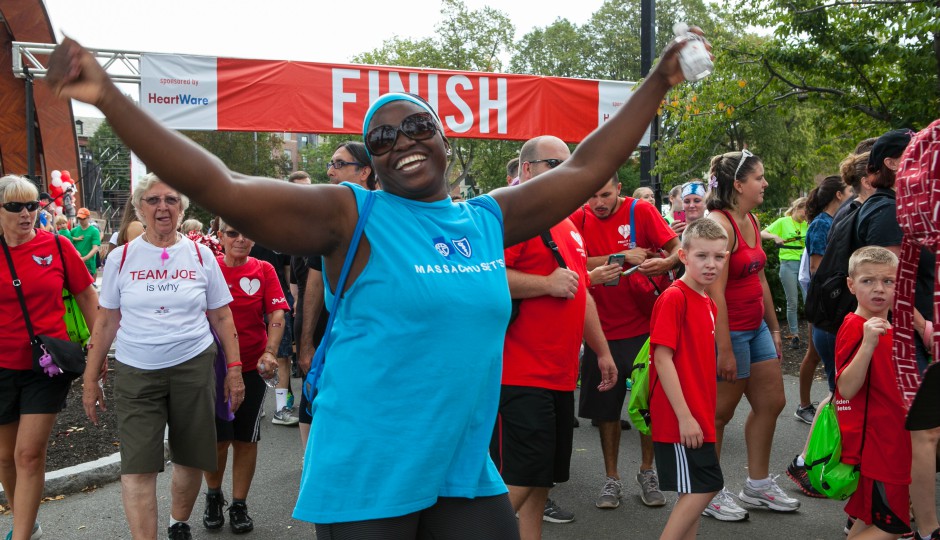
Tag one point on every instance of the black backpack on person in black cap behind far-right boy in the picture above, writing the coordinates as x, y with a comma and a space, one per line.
828, 299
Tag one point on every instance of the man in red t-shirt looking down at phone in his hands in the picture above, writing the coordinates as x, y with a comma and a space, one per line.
617, 229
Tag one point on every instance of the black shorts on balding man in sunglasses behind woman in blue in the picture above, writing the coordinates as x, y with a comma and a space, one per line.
532, 441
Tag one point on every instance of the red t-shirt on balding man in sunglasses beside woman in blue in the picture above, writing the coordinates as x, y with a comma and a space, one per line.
542, 344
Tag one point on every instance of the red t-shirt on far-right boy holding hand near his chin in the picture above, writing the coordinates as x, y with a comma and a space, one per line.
886, 455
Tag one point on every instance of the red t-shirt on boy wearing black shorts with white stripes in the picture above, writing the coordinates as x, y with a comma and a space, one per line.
685, 322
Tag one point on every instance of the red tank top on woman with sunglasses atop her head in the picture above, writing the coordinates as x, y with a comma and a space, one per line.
744, 296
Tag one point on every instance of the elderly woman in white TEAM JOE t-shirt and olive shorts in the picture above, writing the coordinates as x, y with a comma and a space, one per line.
161, 293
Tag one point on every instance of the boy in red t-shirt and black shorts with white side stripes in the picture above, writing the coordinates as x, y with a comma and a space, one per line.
683, 367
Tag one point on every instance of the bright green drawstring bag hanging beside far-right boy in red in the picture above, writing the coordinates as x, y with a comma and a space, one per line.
824, 467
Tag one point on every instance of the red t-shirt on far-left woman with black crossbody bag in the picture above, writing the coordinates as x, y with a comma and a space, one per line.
40, 272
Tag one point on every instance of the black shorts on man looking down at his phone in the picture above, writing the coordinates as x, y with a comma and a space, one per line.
607, 406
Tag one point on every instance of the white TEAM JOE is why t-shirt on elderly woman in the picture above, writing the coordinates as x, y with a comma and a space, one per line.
163, 303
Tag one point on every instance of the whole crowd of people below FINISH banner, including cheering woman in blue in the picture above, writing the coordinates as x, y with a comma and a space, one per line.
402, 441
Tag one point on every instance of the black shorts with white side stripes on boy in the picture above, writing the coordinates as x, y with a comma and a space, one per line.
688, 470
